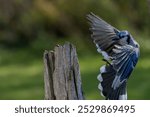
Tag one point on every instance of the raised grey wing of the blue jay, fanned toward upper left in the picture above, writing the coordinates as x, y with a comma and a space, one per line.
103, 34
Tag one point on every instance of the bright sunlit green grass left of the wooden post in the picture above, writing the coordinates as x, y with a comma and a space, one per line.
22, 81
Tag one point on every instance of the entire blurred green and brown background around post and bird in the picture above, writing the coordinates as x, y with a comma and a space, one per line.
28, 27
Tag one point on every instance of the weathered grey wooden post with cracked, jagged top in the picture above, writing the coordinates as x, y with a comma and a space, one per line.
62, 74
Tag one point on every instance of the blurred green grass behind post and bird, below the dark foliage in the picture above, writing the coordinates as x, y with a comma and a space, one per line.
21, 74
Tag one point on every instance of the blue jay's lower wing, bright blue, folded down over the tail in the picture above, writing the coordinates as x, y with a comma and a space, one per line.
124, 60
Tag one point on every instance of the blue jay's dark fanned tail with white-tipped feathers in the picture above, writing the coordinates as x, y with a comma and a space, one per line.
106, 78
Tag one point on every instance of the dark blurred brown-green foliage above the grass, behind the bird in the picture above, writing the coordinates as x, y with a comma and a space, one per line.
24, 21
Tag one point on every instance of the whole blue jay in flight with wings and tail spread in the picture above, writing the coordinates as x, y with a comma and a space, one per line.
120, 52
